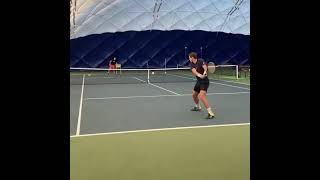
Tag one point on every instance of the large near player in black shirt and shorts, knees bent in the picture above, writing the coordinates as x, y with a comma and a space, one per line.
199, 69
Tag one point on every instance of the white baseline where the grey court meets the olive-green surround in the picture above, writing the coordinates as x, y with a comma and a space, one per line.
162, 129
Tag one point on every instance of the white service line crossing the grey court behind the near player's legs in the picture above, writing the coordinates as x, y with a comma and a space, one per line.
167, 95
